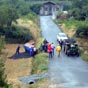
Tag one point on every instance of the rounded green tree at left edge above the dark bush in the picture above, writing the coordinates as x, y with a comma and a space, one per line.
7, 15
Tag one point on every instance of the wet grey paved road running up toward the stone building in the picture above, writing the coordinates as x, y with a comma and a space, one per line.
64, 72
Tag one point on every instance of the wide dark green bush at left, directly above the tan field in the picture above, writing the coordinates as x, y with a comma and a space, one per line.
16, 34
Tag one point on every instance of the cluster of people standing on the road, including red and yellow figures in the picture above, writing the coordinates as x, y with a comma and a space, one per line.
49, 47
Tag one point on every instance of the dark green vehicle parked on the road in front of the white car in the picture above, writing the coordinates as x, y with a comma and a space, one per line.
71, 47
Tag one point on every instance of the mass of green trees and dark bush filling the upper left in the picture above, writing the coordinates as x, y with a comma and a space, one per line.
10, 11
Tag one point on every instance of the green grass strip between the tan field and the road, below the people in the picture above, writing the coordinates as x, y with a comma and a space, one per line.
40, 63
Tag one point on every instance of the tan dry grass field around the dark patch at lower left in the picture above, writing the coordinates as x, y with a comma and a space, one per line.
15, 68
